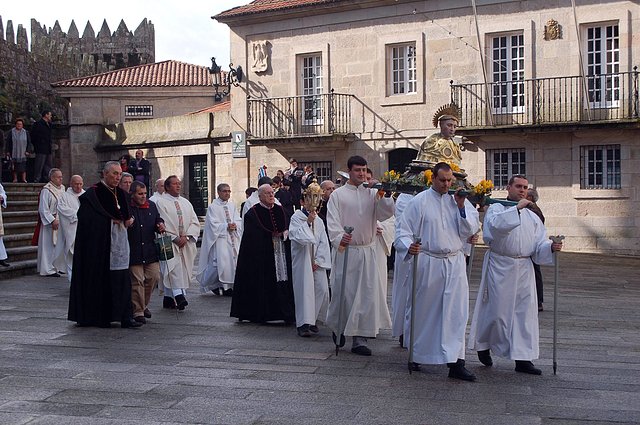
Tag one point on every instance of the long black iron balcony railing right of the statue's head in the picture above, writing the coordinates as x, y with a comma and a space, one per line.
545, 101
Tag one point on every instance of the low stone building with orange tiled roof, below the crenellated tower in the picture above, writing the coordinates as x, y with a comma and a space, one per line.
163, 108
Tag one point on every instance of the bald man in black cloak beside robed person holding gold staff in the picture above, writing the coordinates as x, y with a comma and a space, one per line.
262, 290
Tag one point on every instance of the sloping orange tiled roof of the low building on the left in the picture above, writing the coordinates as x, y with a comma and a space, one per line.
168, 73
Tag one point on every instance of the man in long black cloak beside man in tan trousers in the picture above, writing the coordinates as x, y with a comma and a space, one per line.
100, 282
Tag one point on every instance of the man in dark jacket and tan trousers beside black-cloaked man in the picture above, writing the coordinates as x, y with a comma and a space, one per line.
144, 266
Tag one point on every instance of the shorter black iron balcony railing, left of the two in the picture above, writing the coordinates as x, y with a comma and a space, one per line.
293, 116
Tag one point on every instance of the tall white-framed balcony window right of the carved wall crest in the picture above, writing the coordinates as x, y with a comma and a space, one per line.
603, 66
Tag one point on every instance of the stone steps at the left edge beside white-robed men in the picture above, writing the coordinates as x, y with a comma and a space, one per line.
19, 220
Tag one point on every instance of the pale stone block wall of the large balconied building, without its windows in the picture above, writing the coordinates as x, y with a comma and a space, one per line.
352, 44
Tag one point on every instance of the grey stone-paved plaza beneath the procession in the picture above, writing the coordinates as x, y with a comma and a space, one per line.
202, 367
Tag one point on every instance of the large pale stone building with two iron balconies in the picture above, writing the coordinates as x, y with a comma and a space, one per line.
544, 88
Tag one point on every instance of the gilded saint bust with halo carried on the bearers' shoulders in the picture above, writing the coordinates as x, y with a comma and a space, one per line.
441, 146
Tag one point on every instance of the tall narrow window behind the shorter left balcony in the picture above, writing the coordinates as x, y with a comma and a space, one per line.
311, 84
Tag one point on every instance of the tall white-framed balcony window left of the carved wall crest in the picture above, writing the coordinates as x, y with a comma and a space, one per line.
507, 65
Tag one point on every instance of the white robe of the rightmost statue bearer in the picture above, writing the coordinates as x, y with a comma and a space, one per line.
505, 318
